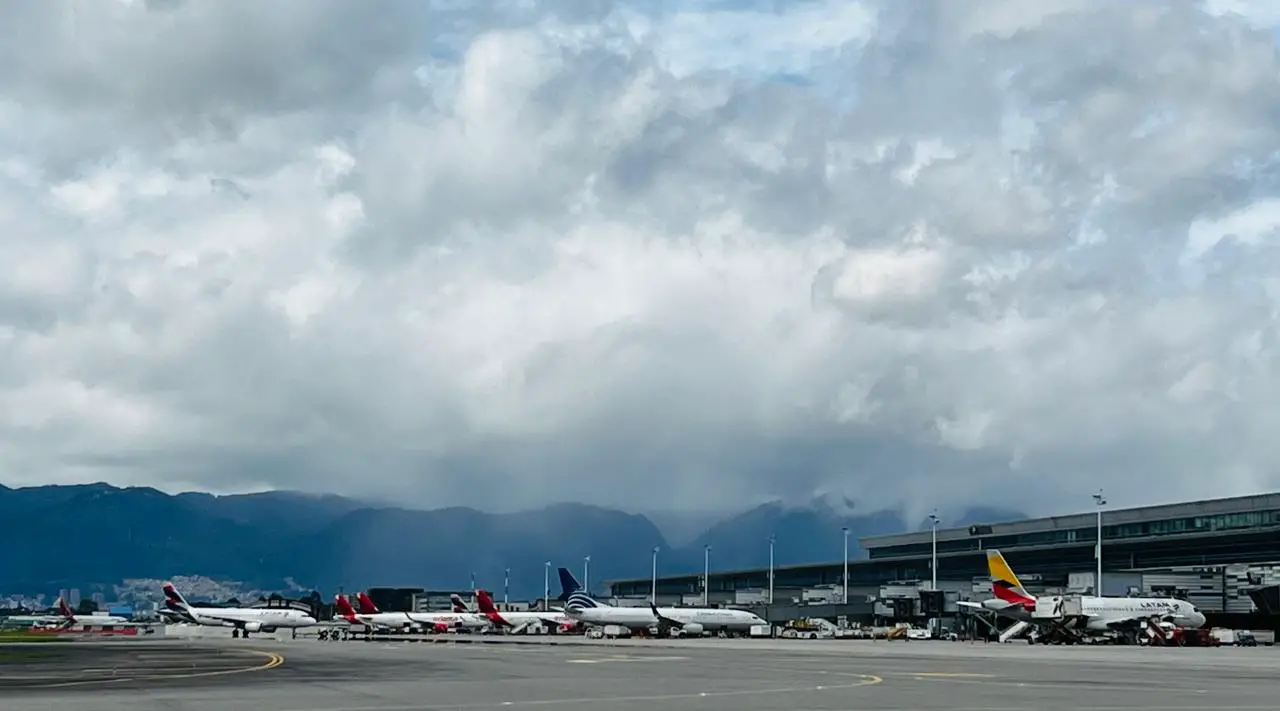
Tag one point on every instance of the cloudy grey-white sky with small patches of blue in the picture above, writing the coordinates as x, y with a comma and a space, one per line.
504, 254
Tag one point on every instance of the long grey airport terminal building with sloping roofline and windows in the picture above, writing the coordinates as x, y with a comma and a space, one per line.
1209, 550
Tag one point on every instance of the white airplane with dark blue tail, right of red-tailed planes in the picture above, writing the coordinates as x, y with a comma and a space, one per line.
687, 621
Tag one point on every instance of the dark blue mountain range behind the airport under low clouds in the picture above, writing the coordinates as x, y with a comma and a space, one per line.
95, 536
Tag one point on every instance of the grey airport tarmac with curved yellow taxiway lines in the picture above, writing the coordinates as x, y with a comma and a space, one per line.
662, 676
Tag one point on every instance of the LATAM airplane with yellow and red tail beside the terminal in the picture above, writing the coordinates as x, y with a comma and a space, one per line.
1099, 614
